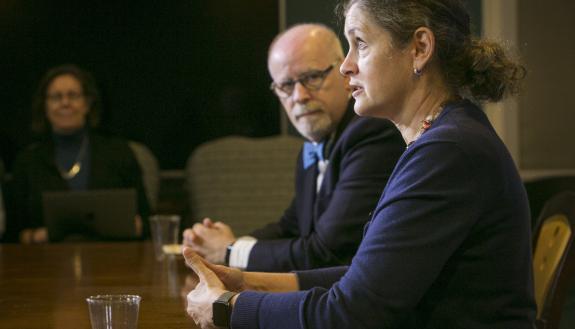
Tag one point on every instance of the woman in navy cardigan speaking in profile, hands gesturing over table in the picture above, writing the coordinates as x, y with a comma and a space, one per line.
448, 244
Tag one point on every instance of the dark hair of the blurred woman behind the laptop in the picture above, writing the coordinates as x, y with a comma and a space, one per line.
40, 124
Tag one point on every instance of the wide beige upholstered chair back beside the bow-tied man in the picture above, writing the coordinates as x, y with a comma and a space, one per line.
244, 182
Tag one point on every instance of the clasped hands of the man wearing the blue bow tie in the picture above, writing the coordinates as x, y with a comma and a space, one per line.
210, 240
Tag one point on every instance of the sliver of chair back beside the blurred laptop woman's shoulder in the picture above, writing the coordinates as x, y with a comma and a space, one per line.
150, 171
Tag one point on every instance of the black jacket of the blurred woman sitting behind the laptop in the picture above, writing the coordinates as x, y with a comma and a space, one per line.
113, 165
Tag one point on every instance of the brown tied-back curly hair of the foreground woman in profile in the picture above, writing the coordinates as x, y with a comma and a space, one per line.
469, 65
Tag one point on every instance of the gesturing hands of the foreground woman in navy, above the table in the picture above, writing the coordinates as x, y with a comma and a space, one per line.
208, 289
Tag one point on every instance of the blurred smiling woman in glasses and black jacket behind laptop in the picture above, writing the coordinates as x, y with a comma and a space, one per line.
70, 154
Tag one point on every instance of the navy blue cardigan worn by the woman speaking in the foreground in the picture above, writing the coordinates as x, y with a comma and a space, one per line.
449, 245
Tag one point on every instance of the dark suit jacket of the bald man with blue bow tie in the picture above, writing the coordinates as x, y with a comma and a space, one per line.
325, 229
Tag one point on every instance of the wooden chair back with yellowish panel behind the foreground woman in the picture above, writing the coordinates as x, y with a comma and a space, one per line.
554, 258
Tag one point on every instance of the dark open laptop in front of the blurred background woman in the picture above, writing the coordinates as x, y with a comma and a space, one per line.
106, 214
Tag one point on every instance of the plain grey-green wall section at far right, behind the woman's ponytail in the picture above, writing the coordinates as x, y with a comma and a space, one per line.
547, 105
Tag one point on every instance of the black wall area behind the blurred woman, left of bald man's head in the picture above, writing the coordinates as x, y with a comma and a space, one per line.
173, 74
